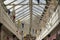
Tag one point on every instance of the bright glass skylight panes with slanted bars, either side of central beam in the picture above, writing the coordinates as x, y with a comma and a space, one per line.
22, 8
